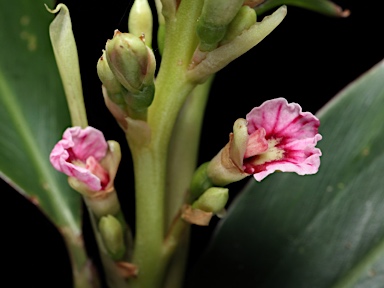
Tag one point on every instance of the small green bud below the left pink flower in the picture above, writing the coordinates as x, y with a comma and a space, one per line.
113, 237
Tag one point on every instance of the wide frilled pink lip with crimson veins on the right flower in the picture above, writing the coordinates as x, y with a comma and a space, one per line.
291, 135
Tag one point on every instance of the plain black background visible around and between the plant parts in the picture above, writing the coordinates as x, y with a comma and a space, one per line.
308, 59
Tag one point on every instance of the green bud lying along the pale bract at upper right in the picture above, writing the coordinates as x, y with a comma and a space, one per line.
244, 19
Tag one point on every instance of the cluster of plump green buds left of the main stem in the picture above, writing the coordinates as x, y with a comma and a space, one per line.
127, 69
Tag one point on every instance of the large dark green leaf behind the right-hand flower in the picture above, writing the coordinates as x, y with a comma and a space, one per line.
323, 230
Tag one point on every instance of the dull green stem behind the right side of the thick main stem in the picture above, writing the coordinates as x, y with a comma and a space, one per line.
183, 149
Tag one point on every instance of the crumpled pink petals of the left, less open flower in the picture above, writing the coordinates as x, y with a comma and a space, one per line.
78, 155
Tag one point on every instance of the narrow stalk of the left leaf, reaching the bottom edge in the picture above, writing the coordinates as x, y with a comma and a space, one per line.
84, 275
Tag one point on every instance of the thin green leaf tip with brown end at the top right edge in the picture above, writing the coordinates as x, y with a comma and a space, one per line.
320, 6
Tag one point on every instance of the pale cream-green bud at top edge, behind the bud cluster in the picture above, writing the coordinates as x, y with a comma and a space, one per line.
140, 21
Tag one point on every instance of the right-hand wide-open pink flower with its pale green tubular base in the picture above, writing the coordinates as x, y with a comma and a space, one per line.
276, 136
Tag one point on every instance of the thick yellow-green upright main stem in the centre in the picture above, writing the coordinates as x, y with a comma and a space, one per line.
150, 161
